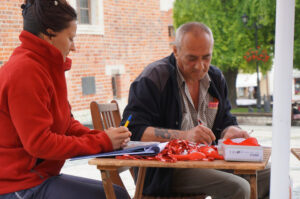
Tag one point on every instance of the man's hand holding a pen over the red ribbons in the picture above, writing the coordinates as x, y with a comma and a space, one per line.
200, 134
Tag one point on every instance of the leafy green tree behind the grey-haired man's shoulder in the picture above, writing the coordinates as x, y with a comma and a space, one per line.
232, 38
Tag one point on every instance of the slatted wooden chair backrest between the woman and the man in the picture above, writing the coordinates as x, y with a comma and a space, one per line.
105, 115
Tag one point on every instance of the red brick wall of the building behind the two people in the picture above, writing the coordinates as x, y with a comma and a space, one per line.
136, 33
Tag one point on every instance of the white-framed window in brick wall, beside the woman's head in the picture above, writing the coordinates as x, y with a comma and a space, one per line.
90, 16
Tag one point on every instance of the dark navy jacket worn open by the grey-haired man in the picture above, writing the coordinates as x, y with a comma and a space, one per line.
154, 101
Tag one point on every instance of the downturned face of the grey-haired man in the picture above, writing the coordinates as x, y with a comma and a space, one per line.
194, 56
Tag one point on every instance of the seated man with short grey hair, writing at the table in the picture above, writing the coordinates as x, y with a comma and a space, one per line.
168, 100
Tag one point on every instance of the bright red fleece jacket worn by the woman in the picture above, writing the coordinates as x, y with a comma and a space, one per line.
35, 117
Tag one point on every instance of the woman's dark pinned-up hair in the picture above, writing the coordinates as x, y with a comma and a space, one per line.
39, 15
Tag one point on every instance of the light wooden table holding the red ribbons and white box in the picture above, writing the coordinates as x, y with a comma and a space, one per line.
107, 164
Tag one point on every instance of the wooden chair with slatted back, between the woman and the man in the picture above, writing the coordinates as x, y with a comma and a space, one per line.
108, 115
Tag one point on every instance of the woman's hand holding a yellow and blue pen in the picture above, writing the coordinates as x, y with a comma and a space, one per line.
119, 137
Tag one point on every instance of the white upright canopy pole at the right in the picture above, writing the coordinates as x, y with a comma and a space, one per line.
284, 41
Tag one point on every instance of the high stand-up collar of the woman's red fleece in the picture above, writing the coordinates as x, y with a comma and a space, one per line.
44, 49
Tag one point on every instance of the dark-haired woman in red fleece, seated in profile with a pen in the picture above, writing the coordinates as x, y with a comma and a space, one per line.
38, 131
